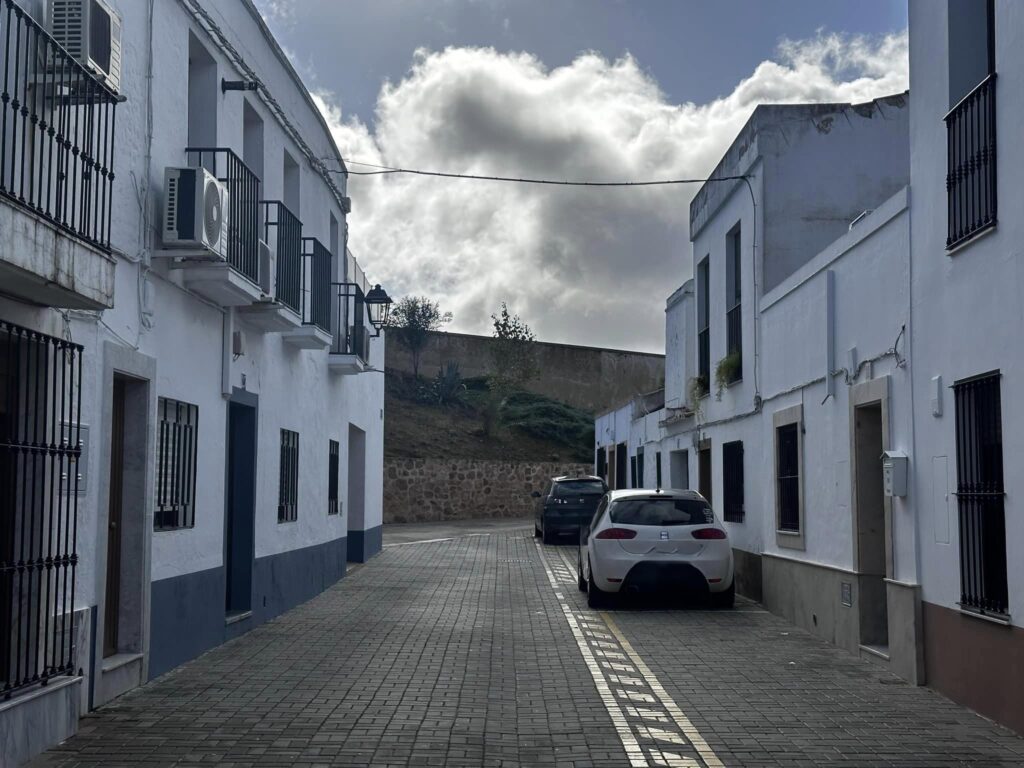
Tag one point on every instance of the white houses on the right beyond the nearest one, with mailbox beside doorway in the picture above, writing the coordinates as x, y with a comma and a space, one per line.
786, 377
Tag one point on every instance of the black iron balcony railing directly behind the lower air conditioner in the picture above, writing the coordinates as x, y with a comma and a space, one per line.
243, 206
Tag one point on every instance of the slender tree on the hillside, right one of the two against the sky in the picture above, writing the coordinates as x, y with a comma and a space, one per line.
514, 362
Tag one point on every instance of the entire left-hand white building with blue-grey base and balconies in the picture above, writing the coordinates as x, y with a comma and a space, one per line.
224, 390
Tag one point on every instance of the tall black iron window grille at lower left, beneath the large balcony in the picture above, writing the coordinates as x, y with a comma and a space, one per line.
40, 448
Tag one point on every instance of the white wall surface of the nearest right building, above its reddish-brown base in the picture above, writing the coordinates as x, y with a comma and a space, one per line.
967, 307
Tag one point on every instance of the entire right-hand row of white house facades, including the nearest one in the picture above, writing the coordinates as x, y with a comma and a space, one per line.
862, 447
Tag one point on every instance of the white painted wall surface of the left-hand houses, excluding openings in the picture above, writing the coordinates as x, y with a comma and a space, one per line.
155, 315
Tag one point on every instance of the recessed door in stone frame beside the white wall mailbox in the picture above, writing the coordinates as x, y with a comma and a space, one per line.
871, 517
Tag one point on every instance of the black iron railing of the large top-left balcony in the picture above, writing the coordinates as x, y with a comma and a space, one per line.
57, 132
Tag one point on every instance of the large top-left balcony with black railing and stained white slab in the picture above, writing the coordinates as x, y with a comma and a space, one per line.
57, 172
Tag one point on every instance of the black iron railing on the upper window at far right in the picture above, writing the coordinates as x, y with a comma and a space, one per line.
971, 164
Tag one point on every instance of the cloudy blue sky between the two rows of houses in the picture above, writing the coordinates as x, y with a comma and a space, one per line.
573, 90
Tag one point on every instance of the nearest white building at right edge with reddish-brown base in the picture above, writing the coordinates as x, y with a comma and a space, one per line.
967, 66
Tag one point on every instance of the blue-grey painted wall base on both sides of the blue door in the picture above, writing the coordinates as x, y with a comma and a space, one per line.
188, 612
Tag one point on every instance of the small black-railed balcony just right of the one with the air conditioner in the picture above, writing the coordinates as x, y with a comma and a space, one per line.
280, 307
